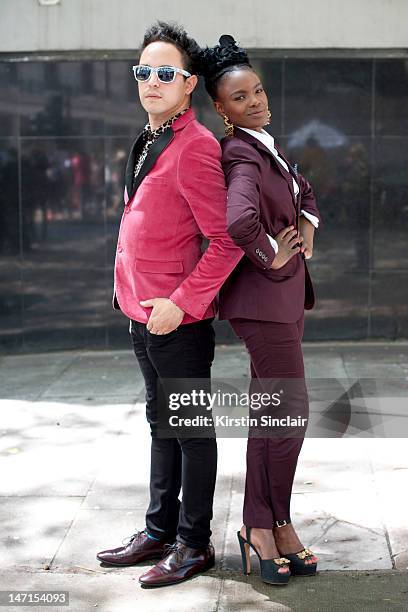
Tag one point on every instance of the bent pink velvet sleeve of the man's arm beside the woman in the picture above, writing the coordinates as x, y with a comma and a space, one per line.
202, 183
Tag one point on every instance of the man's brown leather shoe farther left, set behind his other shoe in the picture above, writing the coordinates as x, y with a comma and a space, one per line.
139, 548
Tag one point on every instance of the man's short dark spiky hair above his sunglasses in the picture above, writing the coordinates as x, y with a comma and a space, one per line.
176, 35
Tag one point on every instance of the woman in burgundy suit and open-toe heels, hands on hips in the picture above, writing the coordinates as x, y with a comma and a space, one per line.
272, 215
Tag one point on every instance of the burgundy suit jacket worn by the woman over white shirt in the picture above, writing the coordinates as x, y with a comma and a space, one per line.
261, 201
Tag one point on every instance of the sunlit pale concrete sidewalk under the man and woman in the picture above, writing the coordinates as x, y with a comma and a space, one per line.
74, 462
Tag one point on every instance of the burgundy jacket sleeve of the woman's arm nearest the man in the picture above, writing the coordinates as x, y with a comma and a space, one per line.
243, 174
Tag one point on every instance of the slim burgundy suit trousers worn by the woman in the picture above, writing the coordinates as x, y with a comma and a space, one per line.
275, 352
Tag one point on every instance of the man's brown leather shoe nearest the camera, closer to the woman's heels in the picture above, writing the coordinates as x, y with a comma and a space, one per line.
179, 563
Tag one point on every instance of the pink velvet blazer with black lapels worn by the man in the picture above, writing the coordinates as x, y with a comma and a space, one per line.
179, 196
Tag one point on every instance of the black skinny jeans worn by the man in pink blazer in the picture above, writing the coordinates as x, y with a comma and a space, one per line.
187, 464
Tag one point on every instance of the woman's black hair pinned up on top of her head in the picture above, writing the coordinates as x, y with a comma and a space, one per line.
216, 61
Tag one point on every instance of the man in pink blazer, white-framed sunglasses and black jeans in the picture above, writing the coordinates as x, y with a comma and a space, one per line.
175, 194
